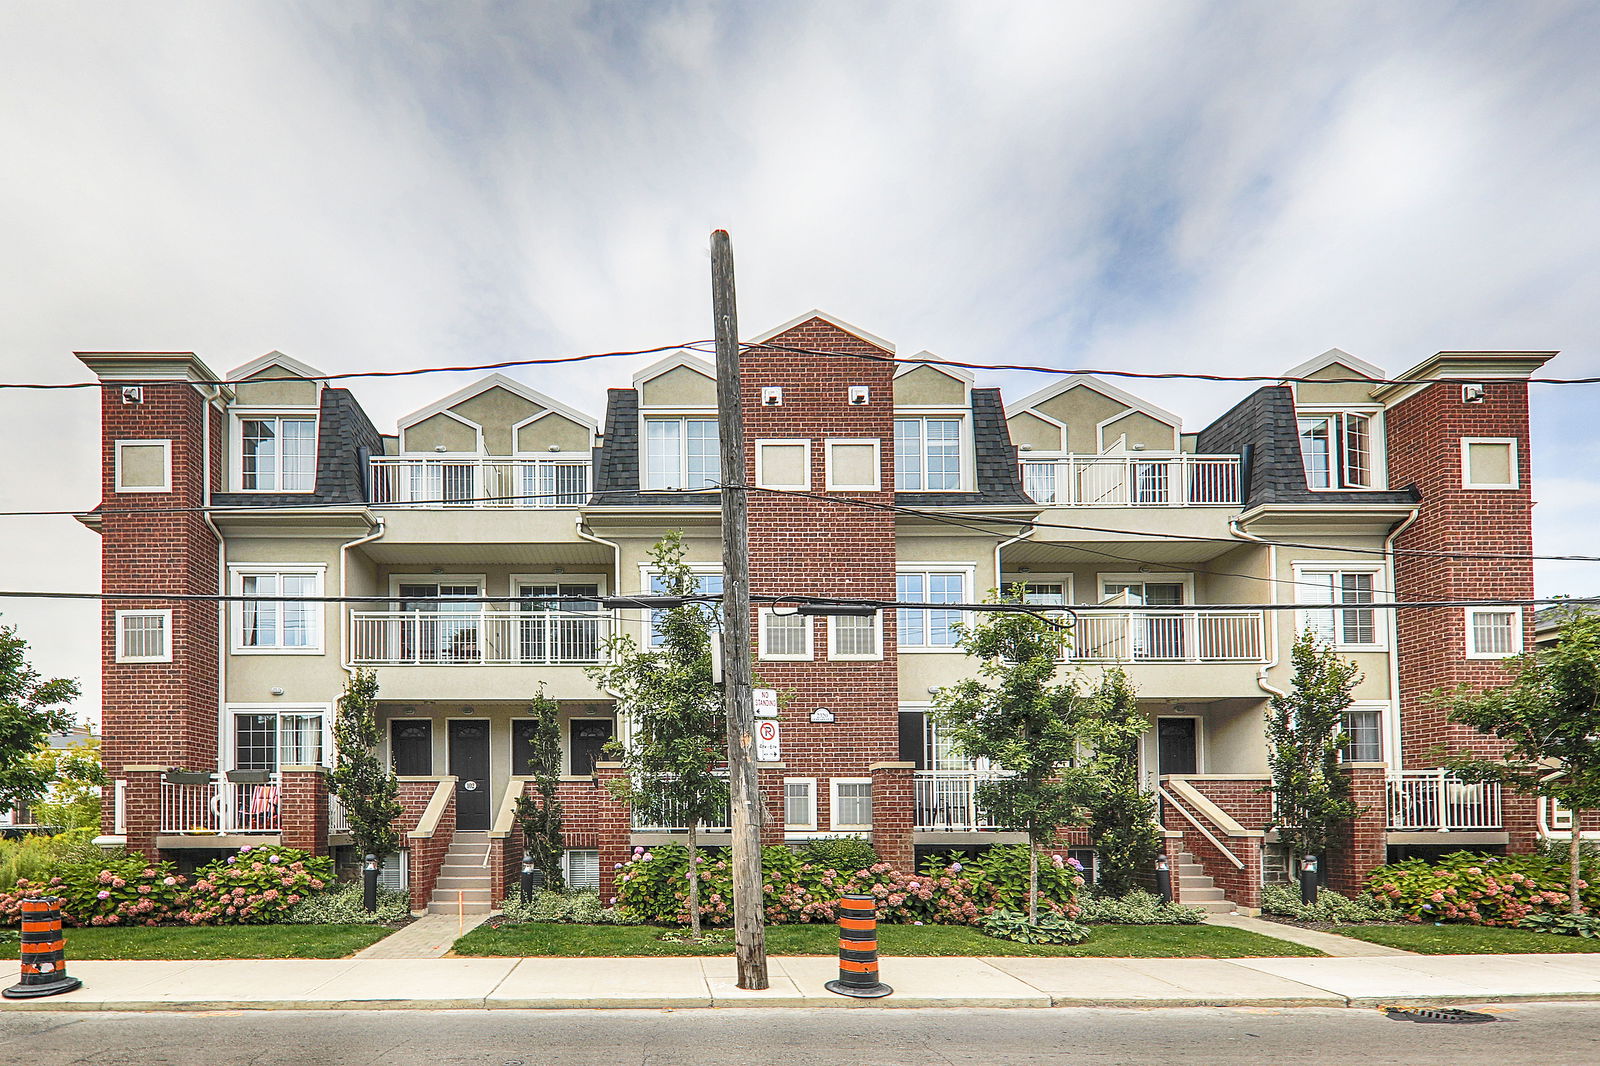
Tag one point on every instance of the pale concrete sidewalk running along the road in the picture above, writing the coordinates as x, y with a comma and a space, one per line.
798, 982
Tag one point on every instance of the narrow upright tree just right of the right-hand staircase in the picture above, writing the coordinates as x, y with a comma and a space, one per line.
1305, 737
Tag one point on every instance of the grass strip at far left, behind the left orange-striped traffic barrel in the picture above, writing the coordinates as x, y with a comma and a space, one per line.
220, 942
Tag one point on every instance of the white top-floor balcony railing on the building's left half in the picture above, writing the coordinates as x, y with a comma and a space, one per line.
479, 483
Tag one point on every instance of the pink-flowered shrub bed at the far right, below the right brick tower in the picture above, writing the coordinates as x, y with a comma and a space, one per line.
1478, 889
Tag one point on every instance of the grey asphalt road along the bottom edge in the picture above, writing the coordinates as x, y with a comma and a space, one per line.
1550, 1035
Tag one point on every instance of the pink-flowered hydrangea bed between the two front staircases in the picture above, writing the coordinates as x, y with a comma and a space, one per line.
652, 888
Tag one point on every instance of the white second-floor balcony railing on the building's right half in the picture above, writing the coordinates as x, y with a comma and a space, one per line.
1201, 636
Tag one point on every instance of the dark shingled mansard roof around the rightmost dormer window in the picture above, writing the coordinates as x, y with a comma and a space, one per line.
1262, 428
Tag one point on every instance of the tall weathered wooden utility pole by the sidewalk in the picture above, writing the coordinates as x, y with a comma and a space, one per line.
745, 790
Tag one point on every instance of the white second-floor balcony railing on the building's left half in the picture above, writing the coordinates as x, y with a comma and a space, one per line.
481, 638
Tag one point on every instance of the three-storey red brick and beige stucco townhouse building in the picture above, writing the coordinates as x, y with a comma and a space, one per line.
468, 556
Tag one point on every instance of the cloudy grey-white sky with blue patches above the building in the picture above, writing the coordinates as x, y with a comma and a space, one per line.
1233, 188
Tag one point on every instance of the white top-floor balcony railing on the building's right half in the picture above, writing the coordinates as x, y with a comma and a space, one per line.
1097, 481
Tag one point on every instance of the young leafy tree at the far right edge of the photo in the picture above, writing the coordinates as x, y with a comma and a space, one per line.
1550, 719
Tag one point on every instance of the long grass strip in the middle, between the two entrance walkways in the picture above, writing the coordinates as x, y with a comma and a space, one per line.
1121, 942
